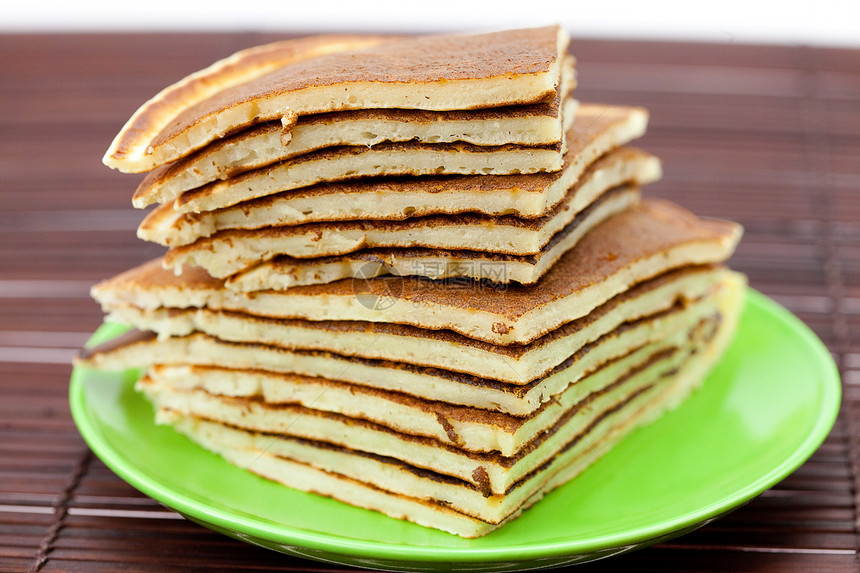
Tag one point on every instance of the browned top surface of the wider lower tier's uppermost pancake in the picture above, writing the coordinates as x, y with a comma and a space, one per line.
648, 229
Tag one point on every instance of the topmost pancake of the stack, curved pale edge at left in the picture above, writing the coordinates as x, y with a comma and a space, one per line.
325, 74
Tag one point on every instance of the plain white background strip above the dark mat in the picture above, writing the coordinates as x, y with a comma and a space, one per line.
814, 22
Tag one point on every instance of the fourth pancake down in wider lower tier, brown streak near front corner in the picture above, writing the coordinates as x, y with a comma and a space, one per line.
465, 427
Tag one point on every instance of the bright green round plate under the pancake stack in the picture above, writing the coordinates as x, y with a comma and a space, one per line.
763, 411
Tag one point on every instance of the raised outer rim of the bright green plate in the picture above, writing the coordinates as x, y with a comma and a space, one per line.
199, 511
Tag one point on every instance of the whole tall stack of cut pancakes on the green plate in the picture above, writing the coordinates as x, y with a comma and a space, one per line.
412, 274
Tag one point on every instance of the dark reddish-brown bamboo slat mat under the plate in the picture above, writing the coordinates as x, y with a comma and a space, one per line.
767, 136
